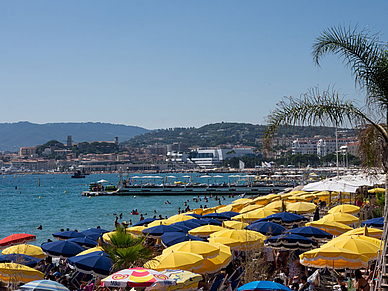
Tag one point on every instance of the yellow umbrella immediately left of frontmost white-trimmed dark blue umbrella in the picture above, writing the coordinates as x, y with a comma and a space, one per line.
247, 238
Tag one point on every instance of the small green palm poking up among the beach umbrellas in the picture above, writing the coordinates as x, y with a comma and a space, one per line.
126, 250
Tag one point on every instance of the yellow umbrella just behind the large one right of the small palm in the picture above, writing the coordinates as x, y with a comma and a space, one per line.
205, 249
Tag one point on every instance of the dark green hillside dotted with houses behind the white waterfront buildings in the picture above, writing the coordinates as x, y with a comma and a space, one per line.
221, 133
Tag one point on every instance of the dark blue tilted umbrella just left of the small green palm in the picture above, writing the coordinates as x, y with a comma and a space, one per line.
96, 263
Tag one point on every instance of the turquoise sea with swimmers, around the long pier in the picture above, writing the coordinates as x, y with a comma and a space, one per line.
57, 203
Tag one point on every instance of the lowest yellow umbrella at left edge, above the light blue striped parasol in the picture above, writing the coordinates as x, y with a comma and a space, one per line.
16, 273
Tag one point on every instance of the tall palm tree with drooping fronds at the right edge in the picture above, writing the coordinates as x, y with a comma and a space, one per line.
367, 57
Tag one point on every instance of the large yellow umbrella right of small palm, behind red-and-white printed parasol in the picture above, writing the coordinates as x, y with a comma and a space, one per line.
175, 260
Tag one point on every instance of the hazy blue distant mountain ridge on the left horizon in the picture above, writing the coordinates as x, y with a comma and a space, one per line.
24, 134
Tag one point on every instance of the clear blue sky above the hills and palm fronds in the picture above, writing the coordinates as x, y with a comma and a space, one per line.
159, 64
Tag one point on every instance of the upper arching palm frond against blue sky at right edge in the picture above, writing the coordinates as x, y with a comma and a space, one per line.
366, 56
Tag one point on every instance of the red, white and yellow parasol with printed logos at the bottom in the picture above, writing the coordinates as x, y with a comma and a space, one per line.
137, 277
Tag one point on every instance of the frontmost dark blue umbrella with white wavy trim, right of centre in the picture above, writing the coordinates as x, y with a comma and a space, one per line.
290, 242
